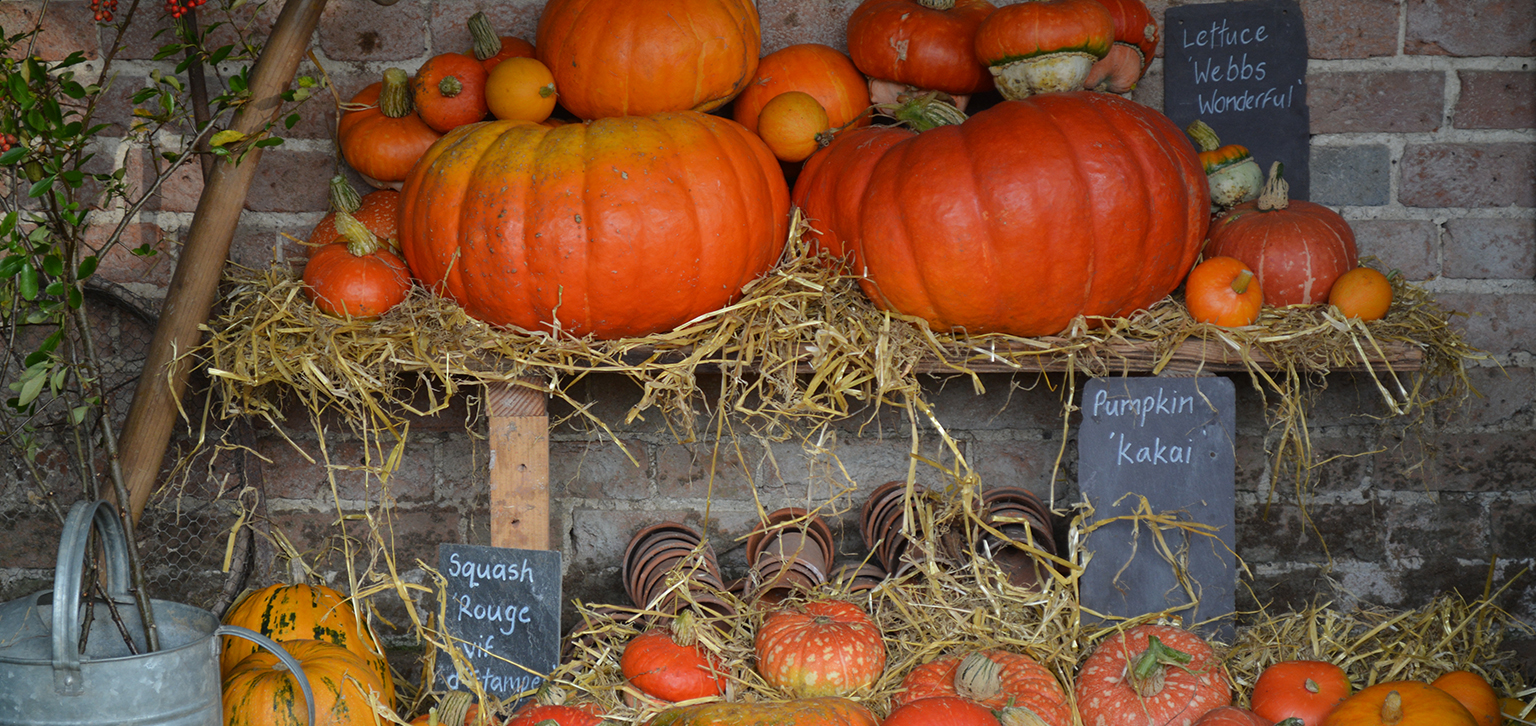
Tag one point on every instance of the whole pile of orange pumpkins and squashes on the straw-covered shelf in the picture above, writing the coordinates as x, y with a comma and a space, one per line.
1059, 202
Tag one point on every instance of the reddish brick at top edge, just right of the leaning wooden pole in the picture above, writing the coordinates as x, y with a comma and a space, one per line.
360, 30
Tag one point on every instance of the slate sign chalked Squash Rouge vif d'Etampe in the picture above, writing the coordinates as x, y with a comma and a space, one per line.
503, 615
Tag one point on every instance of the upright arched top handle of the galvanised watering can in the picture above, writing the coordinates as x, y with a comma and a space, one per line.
67, 582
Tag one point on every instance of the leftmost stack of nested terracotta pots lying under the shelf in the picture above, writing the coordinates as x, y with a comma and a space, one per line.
658, 552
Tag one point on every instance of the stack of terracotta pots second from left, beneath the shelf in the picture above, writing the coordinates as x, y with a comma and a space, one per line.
790, 552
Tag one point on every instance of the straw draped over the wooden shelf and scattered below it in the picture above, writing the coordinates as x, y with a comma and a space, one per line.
801, 349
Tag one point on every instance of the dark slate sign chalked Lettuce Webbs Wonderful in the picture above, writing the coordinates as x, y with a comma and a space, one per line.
1242, 68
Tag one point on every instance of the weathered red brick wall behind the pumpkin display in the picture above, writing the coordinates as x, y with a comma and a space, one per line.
1425, 139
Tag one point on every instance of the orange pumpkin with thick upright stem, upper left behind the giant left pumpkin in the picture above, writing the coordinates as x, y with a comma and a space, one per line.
380, 148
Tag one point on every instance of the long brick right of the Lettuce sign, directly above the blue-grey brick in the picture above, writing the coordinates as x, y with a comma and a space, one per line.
1394, 102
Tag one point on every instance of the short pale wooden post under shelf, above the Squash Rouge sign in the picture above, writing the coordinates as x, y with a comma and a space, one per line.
520, 467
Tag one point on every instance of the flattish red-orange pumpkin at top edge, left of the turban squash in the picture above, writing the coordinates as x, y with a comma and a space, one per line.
905, 42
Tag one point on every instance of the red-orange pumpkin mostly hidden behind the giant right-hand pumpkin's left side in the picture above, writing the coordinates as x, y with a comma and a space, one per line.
832, 185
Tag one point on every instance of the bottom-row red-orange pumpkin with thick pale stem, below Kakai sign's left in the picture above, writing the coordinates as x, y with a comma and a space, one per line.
1011, 681
